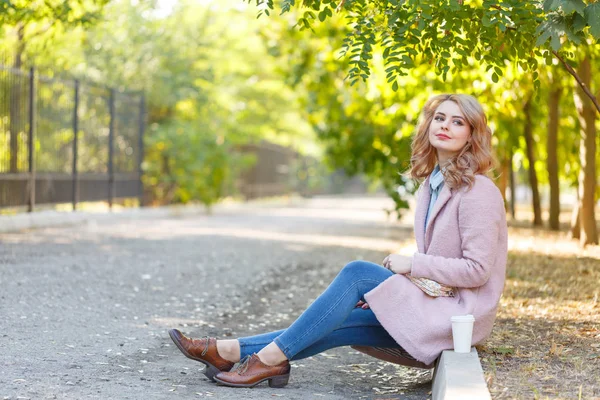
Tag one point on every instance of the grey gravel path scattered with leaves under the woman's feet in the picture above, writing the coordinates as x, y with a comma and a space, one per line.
84, 310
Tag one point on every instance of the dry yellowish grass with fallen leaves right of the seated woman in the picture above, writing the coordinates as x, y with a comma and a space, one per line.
546, 340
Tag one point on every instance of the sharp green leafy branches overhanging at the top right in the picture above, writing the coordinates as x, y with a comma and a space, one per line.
448, 35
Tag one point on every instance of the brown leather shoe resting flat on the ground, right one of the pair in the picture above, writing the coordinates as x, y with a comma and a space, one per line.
253, 371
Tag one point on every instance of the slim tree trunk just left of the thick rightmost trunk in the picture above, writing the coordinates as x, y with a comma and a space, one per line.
552, 160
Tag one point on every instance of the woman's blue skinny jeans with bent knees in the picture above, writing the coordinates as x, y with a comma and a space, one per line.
332, 320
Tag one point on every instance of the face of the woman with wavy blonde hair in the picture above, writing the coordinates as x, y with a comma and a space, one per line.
449, 131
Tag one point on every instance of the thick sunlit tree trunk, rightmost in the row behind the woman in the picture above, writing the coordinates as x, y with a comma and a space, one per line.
587, 158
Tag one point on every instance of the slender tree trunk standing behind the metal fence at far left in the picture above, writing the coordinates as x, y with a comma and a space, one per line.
16, 123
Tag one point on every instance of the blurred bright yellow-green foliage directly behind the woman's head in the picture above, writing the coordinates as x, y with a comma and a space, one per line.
366, 128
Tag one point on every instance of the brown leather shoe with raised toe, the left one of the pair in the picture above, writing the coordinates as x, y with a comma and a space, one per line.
203, 350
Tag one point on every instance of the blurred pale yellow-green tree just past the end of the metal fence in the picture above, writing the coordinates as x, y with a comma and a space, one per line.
211, 87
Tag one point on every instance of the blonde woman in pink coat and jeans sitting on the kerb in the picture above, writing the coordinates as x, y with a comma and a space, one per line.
459, 268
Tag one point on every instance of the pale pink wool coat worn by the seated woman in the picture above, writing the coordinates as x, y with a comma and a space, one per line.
463, 246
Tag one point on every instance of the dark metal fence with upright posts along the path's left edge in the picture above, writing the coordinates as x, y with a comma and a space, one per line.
67, 141
